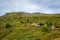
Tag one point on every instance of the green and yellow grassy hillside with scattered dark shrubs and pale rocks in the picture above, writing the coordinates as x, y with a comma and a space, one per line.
29, 26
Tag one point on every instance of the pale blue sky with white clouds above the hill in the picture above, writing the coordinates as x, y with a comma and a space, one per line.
44, 6
